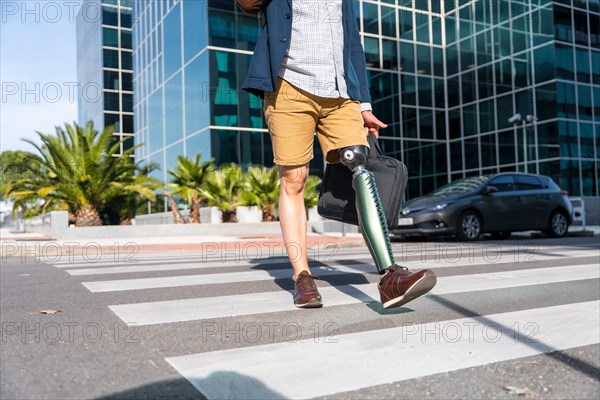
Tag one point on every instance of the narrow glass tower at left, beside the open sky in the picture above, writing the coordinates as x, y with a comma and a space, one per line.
104, 66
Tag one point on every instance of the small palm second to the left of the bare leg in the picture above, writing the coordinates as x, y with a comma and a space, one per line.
223, 190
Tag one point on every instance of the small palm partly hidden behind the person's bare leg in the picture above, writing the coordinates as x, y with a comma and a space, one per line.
263, 188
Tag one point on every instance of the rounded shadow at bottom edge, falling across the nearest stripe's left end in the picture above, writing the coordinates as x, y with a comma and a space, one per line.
217, 385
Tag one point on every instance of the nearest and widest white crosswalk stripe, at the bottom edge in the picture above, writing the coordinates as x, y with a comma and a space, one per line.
371, 358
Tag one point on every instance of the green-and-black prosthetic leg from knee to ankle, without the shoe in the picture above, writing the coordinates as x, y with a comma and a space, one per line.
371, 216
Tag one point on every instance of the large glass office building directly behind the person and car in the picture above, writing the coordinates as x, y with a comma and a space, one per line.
445, 75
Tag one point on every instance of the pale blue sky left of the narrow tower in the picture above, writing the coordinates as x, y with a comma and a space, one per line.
38, 69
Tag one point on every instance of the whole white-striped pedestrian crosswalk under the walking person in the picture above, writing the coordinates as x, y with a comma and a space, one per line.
486, 307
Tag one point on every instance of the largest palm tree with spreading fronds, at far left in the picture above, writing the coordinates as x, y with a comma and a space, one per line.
78, 170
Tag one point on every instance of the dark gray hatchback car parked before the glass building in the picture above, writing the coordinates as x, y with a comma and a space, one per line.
497, 204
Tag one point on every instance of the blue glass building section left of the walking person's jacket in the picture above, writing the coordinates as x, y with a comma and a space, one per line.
190, 58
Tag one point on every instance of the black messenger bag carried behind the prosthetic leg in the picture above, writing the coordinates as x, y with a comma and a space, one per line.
337, 198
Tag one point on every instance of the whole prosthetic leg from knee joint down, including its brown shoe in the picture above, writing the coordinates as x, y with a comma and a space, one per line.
398, 285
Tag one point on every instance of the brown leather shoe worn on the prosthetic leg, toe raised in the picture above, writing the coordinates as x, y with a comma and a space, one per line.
399, 286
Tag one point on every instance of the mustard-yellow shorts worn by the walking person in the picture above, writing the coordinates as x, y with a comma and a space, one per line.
294, 115
